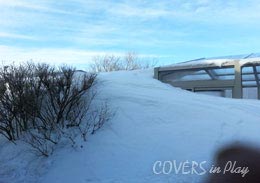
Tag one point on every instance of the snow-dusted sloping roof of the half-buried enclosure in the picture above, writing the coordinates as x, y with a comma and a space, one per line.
253, 58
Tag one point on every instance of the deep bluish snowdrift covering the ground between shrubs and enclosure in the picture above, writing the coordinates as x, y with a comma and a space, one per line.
153, 121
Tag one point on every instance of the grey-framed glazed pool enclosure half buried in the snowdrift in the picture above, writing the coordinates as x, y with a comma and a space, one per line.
233, 77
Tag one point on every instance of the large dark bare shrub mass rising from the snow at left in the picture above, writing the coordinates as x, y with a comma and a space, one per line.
44, 104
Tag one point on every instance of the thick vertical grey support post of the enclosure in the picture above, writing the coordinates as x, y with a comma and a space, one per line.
237, 90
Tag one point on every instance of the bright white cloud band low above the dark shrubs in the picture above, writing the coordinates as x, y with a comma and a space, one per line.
58, 56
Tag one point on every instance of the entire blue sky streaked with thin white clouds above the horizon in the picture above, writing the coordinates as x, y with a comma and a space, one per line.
170, 30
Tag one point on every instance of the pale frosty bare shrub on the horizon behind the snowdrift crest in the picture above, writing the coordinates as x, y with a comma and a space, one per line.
131, 61
